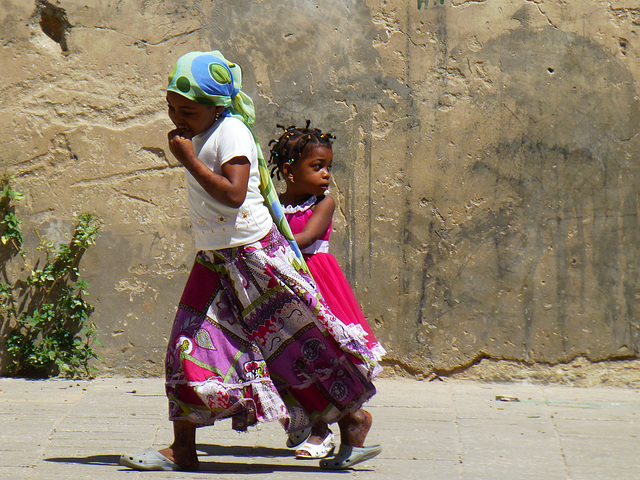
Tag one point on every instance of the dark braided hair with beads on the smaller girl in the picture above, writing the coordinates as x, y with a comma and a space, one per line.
292, 143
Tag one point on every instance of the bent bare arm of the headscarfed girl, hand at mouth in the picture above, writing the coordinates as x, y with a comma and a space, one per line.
230, 188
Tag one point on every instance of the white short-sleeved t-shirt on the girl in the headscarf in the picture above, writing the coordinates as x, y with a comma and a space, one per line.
215, 225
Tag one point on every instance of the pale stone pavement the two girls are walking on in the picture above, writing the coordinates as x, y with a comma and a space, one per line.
60, 429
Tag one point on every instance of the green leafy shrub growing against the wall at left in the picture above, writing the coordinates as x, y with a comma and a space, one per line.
51, 333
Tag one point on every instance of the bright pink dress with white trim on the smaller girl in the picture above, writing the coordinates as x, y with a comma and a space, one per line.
331, 282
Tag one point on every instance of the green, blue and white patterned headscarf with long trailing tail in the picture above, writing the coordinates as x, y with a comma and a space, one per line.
210, 79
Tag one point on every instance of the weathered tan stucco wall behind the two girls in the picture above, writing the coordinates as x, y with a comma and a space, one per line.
486, 162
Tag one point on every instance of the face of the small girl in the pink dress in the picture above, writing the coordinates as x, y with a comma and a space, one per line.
312, 172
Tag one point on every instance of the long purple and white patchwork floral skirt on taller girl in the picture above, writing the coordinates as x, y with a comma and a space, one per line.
253, 340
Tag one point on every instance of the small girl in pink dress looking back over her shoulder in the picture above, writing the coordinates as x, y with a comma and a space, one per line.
303, 156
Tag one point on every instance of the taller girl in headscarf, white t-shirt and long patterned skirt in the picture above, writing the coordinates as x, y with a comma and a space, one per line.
251, 339
